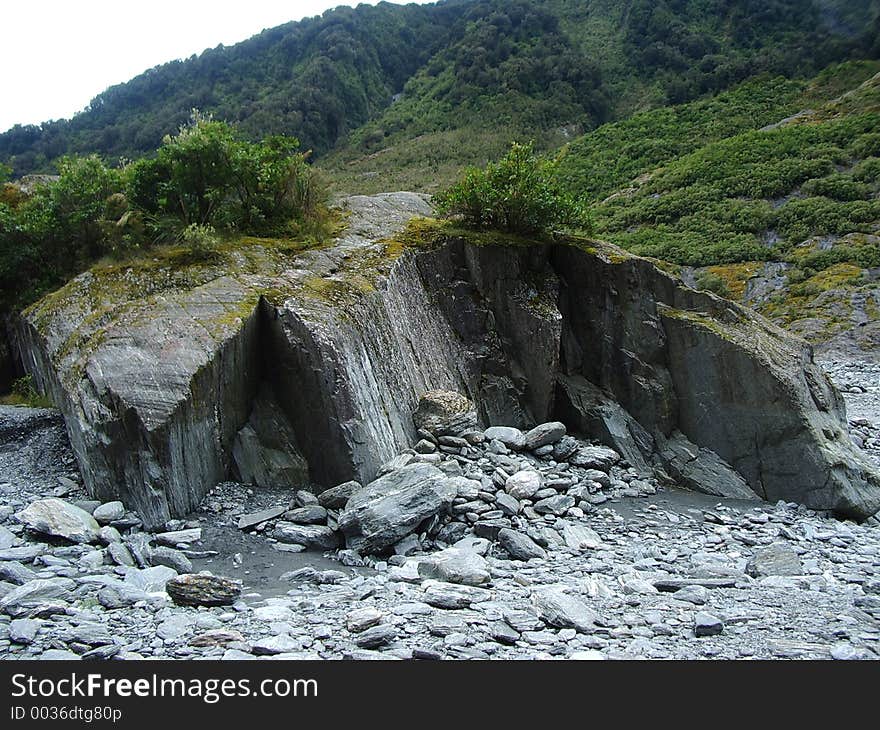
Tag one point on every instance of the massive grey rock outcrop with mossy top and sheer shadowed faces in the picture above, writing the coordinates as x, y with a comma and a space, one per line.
157, 389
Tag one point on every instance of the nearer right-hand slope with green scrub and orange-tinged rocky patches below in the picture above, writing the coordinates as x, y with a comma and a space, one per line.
783, 215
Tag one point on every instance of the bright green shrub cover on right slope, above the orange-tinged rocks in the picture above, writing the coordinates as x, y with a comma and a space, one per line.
745, 195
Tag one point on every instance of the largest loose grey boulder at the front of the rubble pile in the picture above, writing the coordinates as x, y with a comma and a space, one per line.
391, 507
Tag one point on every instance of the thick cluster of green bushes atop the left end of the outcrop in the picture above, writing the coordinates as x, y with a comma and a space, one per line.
204, 183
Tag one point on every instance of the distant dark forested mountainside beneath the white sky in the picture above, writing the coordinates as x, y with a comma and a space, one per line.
456, 79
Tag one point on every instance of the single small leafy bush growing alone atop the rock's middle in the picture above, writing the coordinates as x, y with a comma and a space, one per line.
518, 194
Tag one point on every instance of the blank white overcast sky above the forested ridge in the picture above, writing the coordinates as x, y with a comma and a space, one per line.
59, 54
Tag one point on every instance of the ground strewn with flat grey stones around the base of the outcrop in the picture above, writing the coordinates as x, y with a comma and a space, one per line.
646, 573
